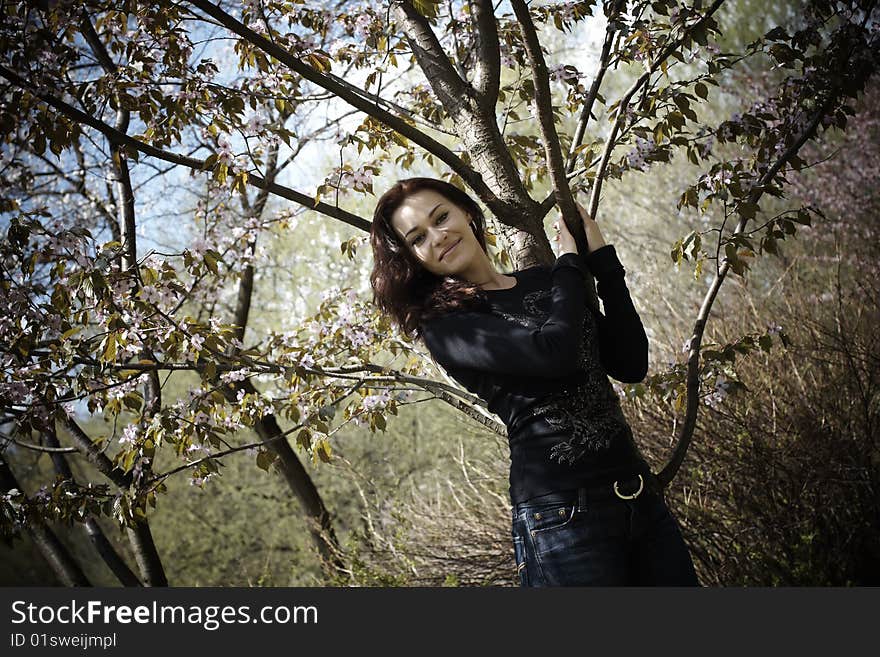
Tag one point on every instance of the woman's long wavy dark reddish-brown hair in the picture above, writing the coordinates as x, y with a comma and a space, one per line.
402, 287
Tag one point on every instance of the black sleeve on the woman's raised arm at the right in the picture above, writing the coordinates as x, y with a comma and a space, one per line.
623, 344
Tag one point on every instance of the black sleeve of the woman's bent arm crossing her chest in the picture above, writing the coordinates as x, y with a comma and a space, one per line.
481, 341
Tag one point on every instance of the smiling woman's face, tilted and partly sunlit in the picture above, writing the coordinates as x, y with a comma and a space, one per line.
436, 231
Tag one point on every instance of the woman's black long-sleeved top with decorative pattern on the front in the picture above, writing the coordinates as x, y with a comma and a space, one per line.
540, 358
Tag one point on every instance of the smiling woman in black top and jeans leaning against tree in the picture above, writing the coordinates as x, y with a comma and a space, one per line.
586, 508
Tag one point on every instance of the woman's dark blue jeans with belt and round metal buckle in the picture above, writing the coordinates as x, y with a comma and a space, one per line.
593, 537
